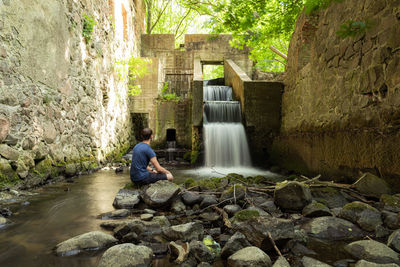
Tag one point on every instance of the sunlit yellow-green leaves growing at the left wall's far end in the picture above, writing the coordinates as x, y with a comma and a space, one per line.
131, 70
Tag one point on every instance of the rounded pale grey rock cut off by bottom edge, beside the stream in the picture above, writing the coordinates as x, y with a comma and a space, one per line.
126, 255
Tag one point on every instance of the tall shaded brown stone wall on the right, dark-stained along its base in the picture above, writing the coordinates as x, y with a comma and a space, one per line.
341, 105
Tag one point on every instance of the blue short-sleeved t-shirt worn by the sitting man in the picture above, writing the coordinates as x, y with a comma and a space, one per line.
141, 155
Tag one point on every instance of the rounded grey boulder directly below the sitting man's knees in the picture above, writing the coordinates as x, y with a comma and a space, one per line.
160, 193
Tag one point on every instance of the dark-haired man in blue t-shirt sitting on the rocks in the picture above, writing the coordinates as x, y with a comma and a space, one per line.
141, 173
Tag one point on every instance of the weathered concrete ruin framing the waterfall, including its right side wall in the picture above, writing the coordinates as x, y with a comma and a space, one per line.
181, 70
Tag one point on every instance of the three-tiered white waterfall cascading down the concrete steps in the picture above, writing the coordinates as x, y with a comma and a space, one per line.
224, 135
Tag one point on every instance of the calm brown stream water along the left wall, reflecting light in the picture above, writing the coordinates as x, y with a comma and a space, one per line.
58, 213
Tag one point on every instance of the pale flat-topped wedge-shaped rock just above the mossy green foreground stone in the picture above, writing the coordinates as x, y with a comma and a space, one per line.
184, 232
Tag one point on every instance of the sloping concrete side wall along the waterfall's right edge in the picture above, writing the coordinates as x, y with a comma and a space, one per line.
261, 109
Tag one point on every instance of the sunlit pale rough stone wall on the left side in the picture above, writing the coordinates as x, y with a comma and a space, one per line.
63, 107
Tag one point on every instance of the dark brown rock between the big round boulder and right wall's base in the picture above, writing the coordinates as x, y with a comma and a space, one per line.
329, 196
